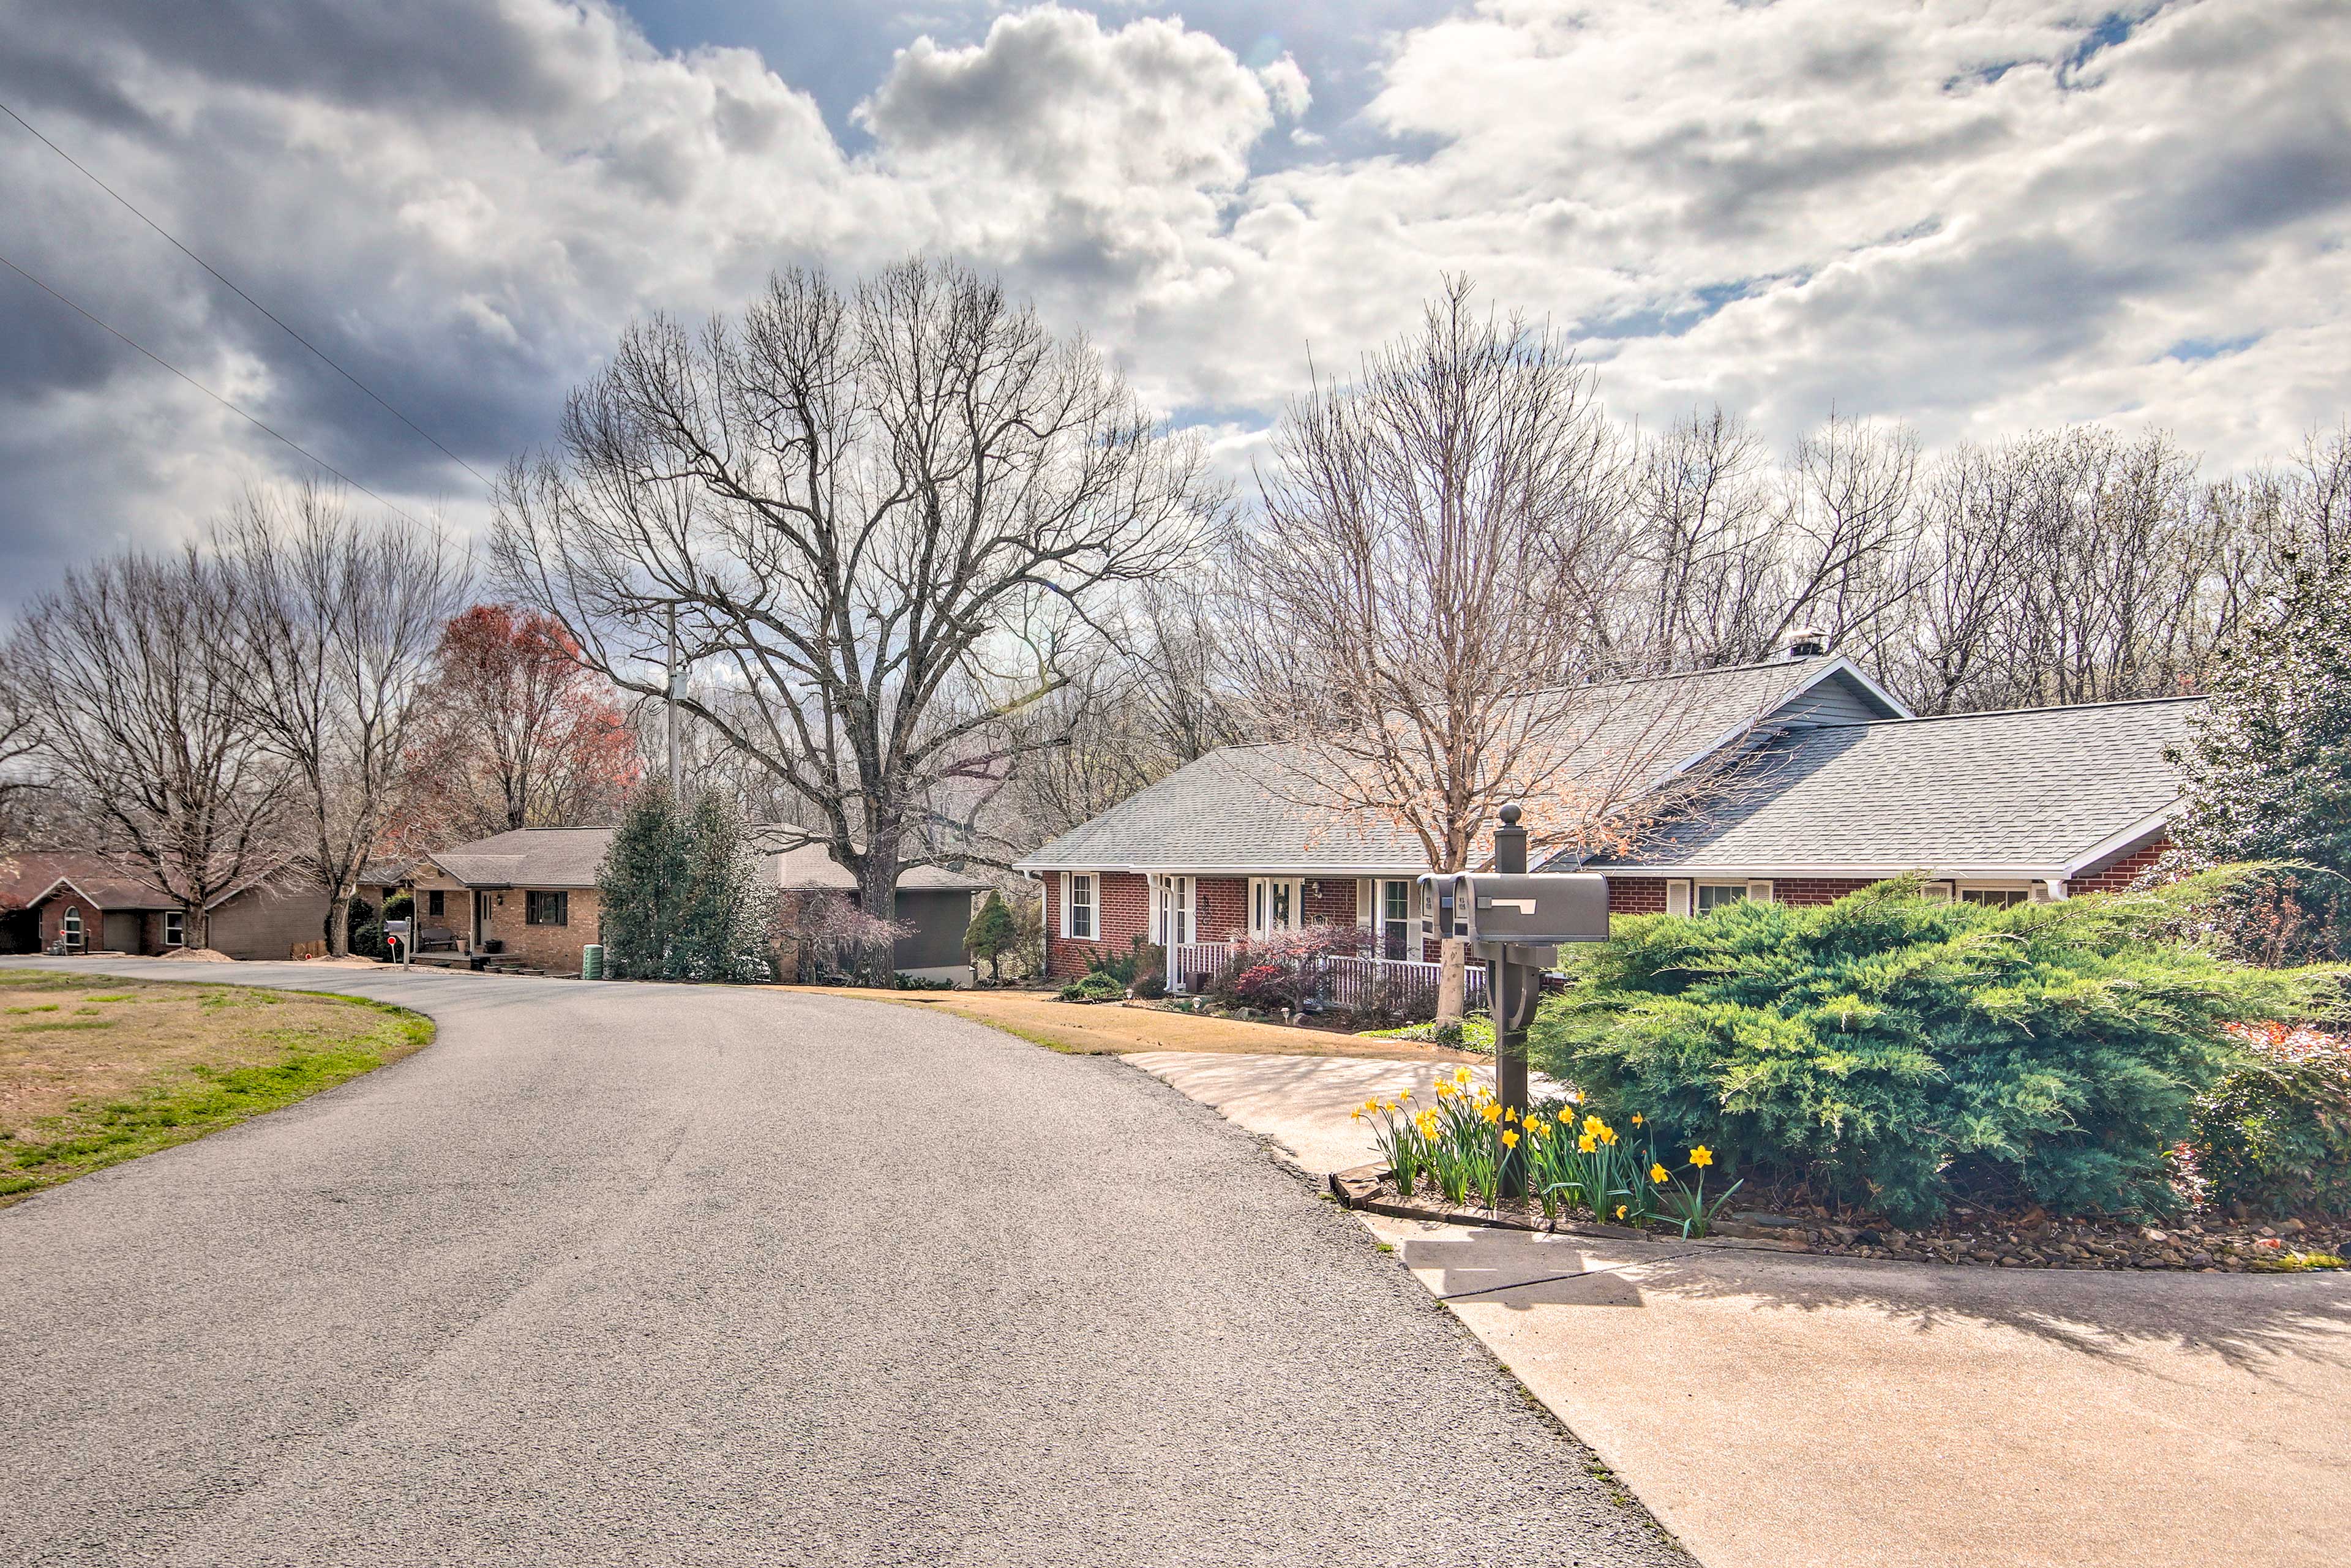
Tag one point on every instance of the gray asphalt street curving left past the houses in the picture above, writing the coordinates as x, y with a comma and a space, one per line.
692, 1275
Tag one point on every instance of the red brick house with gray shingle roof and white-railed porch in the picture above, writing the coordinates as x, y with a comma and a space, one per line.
1835, 786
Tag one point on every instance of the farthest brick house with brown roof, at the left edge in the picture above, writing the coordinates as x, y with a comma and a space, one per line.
79, 902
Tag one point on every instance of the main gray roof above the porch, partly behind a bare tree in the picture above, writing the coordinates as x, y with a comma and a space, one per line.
1250, 808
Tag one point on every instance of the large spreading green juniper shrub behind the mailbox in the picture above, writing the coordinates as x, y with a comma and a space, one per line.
1901, 1052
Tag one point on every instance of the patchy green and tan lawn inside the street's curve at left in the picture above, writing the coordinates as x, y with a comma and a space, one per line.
98, 1071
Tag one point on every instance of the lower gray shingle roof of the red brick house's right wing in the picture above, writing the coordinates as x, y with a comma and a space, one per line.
1992, 793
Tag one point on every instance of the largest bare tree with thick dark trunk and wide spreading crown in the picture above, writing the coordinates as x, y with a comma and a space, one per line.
878, 518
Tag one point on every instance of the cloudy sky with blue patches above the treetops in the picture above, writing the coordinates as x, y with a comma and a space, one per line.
1971, 215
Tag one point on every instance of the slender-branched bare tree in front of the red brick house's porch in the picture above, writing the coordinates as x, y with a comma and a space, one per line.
1416, 605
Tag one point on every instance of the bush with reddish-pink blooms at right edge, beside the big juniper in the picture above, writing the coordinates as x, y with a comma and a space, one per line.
2277, 1132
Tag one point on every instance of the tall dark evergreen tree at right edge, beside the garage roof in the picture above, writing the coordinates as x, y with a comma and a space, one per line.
2270, 768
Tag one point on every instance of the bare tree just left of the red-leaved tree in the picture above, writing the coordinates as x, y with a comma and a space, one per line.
335, 648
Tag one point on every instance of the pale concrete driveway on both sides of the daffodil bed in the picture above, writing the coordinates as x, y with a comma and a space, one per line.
1788, 1412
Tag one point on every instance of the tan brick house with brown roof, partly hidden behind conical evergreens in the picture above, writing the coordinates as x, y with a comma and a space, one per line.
533, 892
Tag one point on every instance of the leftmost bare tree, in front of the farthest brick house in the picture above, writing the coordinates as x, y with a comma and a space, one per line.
130, 678
